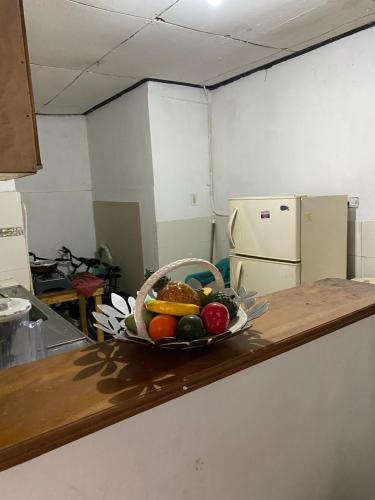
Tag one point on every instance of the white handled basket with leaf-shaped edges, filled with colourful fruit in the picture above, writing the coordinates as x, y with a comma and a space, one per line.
180, 317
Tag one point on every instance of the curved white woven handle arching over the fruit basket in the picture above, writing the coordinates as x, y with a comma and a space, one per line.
143, 292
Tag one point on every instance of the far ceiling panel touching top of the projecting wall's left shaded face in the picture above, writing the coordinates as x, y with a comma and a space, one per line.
90, 89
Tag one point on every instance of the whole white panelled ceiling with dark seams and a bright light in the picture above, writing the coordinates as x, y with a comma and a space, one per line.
66, 37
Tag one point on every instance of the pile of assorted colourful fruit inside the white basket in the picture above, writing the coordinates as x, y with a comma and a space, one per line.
183, 313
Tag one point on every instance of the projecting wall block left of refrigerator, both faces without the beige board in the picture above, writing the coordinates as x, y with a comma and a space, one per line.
151, 146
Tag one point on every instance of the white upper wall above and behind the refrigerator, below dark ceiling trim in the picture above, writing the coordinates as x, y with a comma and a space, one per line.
304, 126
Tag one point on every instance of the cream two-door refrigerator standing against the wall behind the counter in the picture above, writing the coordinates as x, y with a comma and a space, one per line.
281, 242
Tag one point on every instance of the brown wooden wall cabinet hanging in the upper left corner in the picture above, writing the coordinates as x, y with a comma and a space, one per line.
19, 149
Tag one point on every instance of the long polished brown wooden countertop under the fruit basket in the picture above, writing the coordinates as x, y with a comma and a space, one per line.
48, 403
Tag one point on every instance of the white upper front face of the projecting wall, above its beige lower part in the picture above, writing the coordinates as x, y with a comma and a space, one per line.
179, 138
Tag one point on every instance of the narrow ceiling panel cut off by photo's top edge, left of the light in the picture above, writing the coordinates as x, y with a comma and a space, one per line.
144, 8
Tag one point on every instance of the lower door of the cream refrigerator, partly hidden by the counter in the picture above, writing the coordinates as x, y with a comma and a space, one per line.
263, 276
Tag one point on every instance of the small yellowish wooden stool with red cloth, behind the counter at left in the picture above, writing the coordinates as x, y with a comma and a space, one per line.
51, 298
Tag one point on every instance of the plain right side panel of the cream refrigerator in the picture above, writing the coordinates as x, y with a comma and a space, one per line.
324, 223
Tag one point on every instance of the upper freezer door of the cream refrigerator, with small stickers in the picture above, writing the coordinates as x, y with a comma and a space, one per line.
268, 228
